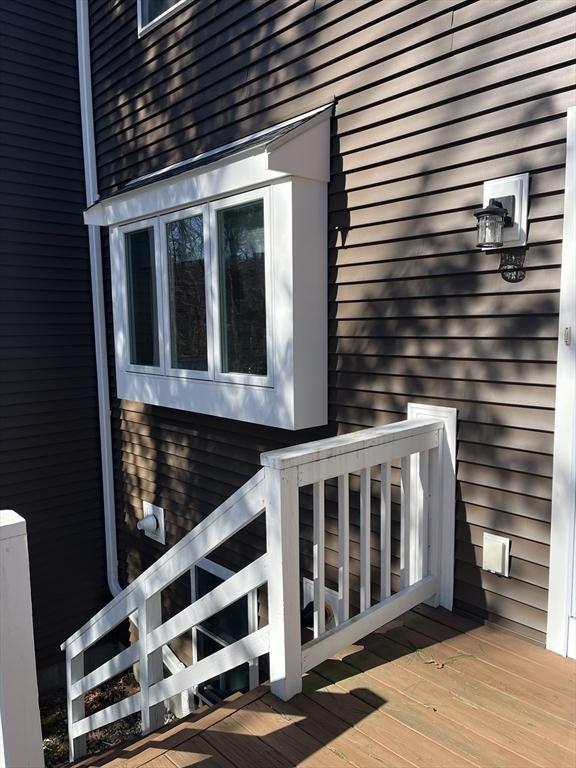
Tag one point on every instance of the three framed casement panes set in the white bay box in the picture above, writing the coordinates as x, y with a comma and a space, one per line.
209, 267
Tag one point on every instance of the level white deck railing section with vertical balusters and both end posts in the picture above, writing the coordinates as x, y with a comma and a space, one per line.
424, 445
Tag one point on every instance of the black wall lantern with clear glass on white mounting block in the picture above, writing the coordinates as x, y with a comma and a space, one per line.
502, 222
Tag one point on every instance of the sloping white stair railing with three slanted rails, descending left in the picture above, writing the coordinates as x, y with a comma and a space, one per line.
141, 601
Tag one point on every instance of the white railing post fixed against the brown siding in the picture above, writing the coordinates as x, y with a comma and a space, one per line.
441, 475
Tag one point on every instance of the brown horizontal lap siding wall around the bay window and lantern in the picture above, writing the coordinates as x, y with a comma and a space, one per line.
432, 98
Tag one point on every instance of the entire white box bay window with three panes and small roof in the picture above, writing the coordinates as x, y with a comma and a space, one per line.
219, 280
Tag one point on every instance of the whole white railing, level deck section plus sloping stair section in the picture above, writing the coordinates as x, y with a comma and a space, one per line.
358, 464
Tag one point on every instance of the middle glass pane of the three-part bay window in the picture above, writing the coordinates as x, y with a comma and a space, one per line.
185, 242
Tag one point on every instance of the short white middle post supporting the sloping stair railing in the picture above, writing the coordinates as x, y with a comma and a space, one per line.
151, 671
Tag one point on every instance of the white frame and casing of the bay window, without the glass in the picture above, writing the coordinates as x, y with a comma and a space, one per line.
290, 174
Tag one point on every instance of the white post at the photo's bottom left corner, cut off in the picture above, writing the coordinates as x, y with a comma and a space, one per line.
20, 732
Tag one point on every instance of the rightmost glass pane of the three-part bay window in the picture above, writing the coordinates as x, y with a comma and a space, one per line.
242, 289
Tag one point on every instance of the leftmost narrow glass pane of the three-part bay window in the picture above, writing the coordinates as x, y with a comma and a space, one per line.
142, 310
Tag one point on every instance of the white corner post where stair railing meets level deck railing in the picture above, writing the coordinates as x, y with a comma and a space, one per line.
283, 546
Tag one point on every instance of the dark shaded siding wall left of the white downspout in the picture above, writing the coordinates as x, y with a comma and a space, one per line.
49, 445
